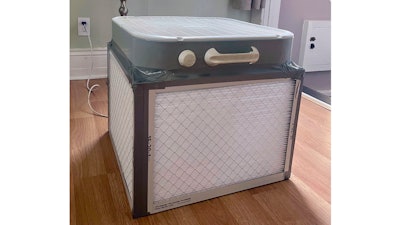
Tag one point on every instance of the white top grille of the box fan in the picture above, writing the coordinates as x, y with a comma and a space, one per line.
179, 28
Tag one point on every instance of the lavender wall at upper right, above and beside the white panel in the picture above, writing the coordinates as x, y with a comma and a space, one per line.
294, 12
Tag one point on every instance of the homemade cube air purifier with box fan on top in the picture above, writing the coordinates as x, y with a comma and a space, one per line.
191, 132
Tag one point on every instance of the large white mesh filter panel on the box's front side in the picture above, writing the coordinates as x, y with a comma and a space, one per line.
210, 138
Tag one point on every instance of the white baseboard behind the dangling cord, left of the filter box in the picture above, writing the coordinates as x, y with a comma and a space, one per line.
80, 63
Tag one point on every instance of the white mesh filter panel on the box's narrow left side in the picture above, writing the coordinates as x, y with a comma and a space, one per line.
121, 122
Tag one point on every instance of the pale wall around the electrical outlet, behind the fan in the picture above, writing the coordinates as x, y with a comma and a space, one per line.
101, 12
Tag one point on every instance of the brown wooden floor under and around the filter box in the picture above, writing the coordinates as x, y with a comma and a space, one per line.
97, 193
